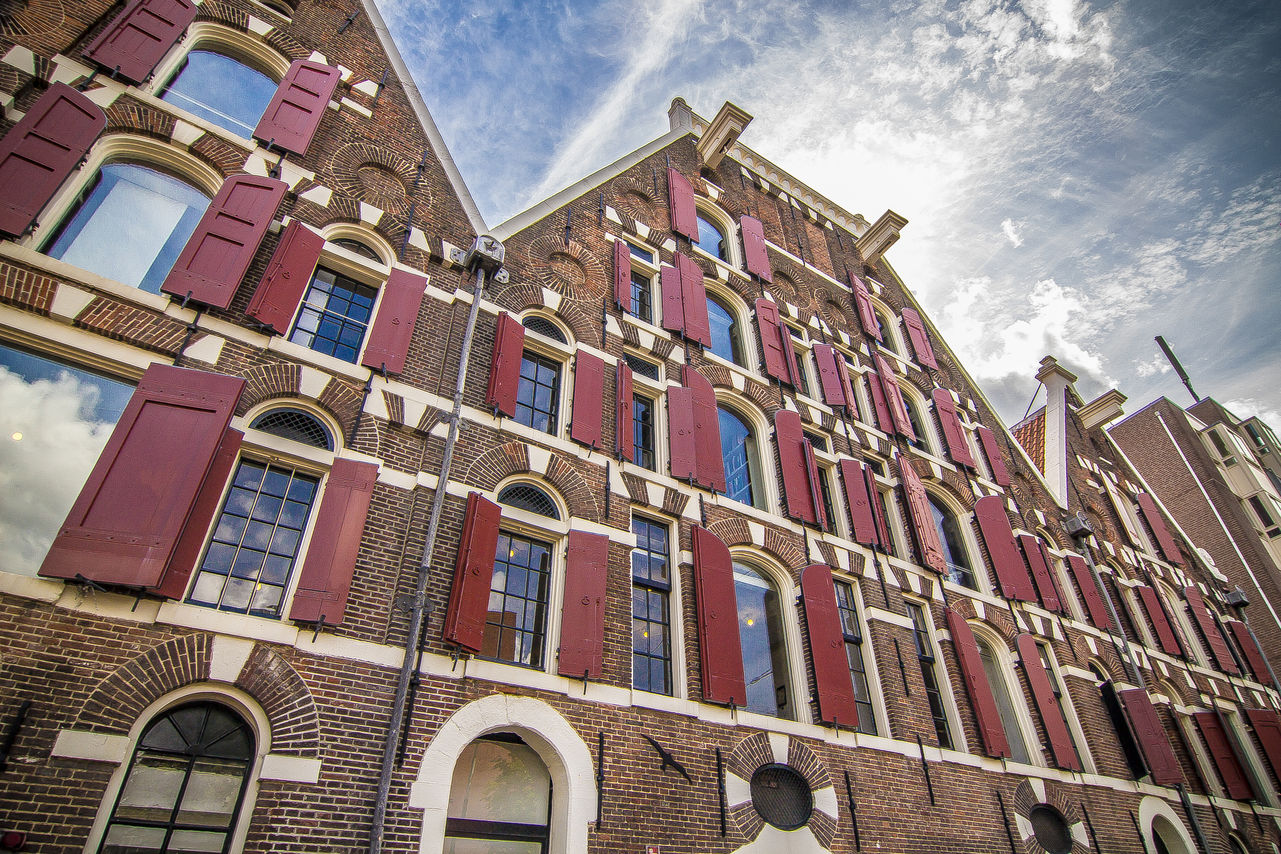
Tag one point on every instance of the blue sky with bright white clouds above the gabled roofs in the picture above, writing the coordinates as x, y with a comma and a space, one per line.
1078, 177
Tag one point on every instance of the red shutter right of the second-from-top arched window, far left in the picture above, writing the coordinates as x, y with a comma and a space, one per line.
220, 252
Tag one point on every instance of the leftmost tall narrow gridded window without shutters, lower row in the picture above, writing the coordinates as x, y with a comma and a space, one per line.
651, 620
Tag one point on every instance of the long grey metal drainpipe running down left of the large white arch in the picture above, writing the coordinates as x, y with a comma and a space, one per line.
418, 609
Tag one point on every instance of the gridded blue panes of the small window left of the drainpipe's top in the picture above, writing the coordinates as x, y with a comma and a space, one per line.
335, 316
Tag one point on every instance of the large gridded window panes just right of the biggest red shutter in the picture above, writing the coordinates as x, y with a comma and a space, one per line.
257, 541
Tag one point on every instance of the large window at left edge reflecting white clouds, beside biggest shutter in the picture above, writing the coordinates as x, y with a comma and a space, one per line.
54, 423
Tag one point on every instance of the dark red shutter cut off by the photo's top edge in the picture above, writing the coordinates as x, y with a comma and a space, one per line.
140, 36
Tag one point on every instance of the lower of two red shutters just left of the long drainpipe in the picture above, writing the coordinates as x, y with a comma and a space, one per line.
331, 563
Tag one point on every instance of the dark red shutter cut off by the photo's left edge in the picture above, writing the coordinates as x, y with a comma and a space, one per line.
40, 152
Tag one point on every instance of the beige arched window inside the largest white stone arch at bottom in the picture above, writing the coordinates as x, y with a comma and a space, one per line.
500, 800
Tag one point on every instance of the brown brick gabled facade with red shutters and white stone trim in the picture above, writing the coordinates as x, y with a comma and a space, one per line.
678, 528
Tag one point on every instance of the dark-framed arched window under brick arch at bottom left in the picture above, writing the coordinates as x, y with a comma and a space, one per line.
185, 786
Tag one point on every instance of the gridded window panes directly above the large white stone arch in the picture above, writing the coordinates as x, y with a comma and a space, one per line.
517, 624
